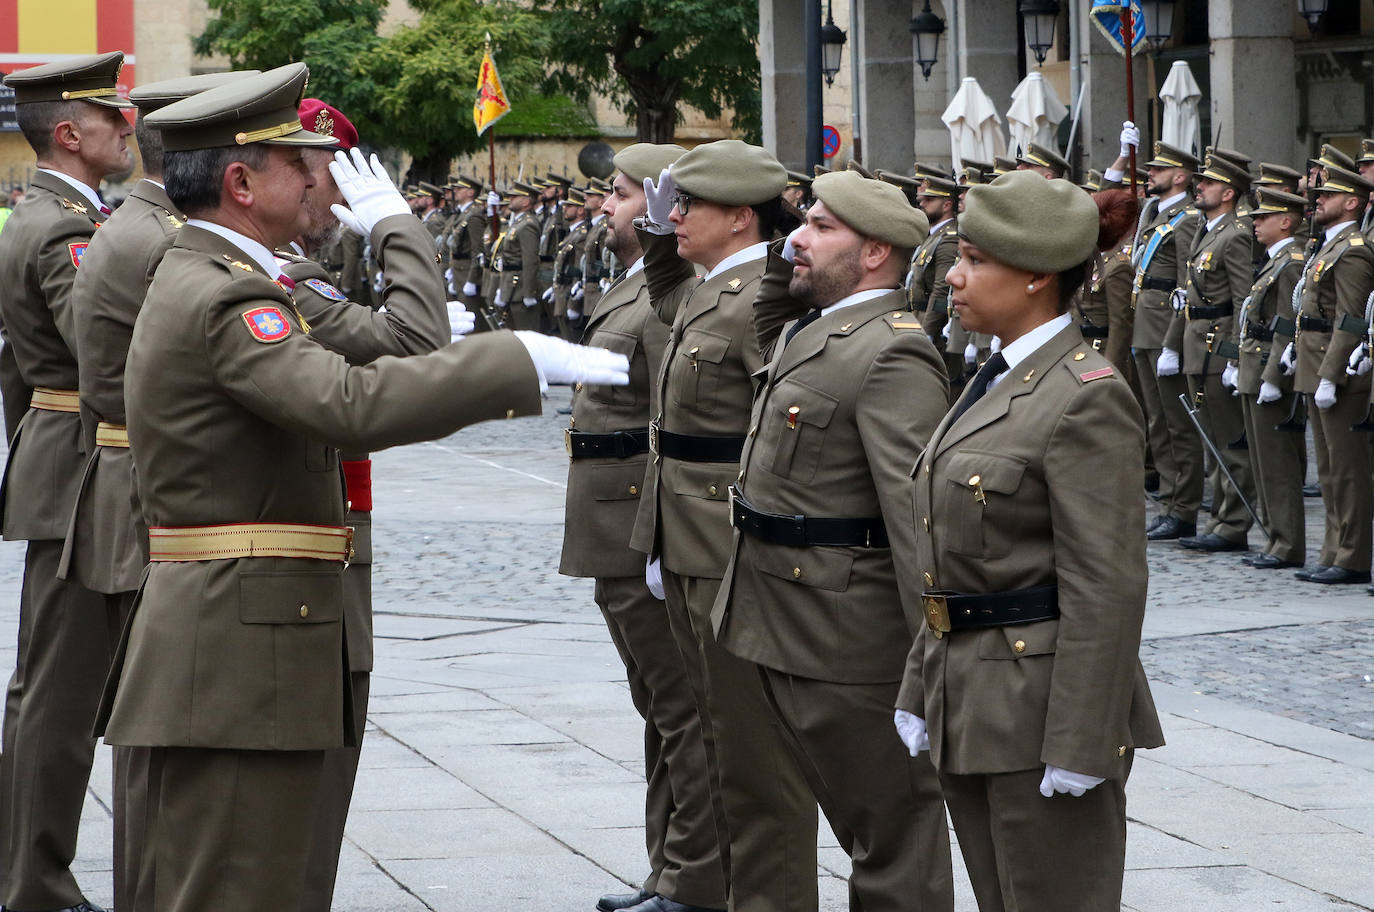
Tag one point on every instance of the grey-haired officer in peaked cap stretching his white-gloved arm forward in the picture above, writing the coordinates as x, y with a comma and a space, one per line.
234, 668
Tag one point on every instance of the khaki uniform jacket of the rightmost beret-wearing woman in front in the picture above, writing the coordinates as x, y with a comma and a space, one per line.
1068, 692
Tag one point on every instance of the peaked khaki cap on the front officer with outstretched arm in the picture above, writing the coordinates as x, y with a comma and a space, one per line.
256, 109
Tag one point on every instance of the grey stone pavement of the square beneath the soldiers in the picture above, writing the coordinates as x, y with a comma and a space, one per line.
502, 764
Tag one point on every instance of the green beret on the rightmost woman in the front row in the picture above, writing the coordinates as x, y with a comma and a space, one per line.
1009, 218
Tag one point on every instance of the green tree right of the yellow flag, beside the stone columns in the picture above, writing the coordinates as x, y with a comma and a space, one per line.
653, 56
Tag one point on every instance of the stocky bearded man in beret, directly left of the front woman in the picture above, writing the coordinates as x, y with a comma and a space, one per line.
847, 403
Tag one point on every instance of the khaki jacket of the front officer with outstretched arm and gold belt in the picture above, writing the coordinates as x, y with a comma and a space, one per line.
226, 429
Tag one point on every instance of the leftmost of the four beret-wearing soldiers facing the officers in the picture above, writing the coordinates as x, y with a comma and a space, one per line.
608, 444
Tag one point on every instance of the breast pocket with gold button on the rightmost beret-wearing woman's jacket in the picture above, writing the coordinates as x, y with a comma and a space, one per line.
976, 483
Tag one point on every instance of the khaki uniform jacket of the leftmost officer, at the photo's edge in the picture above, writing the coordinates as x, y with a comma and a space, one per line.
43, 242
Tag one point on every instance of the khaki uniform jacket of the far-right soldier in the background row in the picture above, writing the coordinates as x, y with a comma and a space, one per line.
1336, 282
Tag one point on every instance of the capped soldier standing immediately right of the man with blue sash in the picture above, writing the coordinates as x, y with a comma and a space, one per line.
1204, 337
